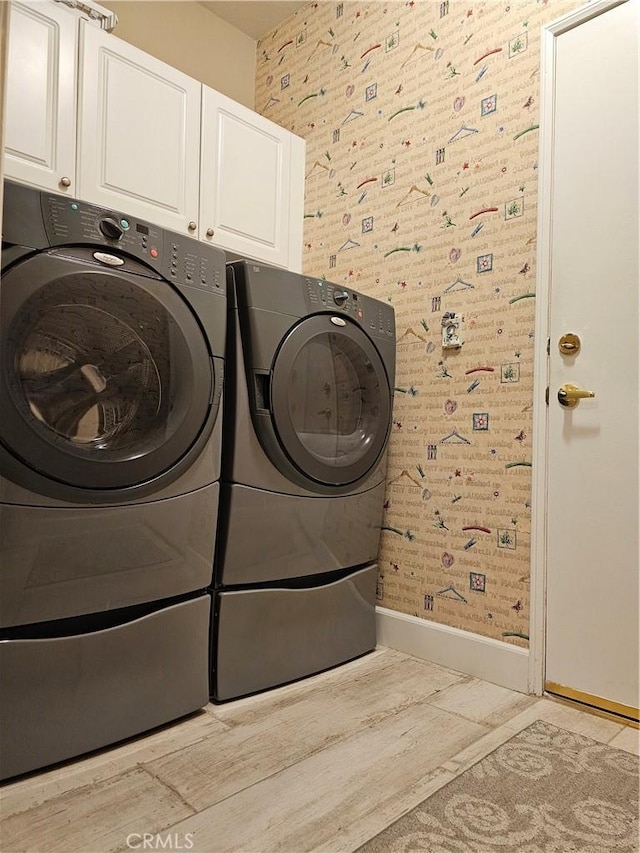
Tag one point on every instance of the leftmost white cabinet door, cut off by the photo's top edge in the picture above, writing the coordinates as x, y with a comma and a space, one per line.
40, 120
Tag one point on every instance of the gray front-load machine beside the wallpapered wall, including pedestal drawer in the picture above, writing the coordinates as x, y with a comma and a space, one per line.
307, 417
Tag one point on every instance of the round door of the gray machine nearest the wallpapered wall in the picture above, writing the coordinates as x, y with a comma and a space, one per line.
331, 400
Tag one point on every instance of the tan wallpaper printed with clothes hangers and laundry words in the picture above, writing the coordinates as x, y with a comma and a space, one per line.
421, 121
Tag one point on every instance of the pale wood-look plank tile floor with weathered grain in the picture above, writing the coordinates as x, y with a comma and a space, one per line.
322, 765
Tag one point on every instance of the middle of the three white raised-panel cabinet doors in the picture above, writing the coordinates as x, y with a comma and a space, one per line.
139, 133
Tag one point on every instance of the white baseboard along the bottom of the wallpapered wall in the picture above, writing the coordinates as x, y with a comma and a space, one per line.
482, 657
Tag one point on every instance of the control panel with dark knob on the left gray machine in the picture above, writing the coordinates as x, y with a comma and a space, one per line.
116, 237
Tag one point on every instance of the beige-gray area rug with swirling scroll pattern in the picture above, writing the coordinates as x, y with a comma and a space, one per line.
544, 791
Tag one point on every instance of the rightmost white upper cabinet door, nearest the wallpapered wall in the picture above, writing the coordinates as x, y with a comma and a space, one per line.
252, 183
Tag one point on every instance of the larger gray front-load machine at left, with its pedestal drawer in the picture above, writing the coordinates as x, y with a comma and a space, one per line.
112, 346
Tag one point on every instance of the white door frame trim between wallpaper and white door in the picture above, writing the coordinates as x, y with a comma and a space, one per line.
540, 437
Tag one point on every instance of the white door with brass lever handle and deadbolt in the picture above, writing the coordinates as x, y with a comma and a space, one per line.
592, 479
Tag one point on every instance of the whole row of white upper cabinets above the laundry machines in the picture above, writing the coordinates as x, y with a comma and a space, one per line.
90, 115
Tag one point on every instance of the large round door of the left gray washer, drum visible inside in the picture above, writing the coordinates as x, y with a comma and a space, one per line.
108, 375
